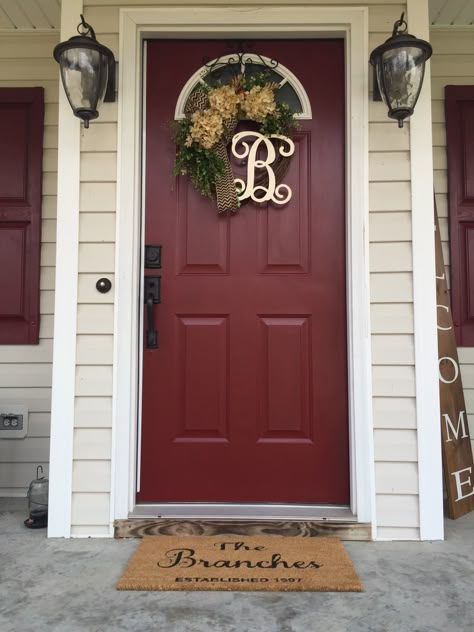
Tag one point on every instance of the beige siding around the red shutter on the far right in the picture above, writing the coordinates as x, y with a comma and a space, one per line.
452, 64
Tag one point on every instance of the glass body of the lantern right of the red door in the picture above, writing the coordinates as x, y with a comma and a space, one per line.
401, 74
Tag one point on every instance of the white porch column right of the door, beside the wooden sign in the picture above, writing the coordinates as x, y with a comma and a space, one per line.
424, 298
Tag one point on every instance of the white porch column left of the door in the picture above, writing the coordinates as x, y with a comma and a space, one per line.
65, 305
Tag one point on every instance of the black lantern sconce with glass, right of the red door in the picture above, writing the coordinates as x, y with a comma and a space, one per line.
399, 69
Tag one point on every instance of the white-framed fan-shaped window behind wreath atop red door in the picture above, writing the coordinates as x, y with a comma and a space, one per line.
221, 70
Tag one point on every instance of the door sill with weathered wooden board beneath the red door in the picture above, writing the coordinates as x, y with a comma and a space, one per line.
243, 520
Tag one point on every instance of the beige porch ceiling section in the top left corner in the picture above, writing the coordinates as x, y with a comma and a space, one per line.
21, 15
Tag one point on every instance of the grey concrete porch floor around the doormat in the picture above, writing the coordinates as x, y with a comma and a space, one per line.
68, 586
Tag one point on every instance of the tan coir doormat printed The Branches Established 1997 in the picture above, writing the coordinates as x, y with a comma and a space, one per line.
233, 563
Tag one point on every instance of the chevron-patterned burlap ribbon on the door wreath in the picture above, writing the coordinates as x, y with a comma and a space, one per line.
226, 194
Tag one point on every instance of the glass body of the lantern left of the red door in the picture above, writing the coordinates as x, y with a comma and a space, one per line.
84, 73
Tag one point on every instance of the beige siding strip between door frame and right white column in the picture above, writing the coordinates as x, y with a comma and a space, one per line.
391, 289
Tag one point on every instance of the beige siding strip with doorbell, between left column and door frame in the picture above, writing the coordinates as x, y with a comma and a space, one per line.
94, 352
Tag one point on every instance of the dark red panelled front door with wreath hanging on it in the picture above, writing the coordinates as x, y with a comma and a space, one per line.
245, 400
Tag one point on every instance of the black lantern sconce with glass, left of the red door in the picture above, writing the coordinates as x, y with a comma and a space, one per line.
87, 72
